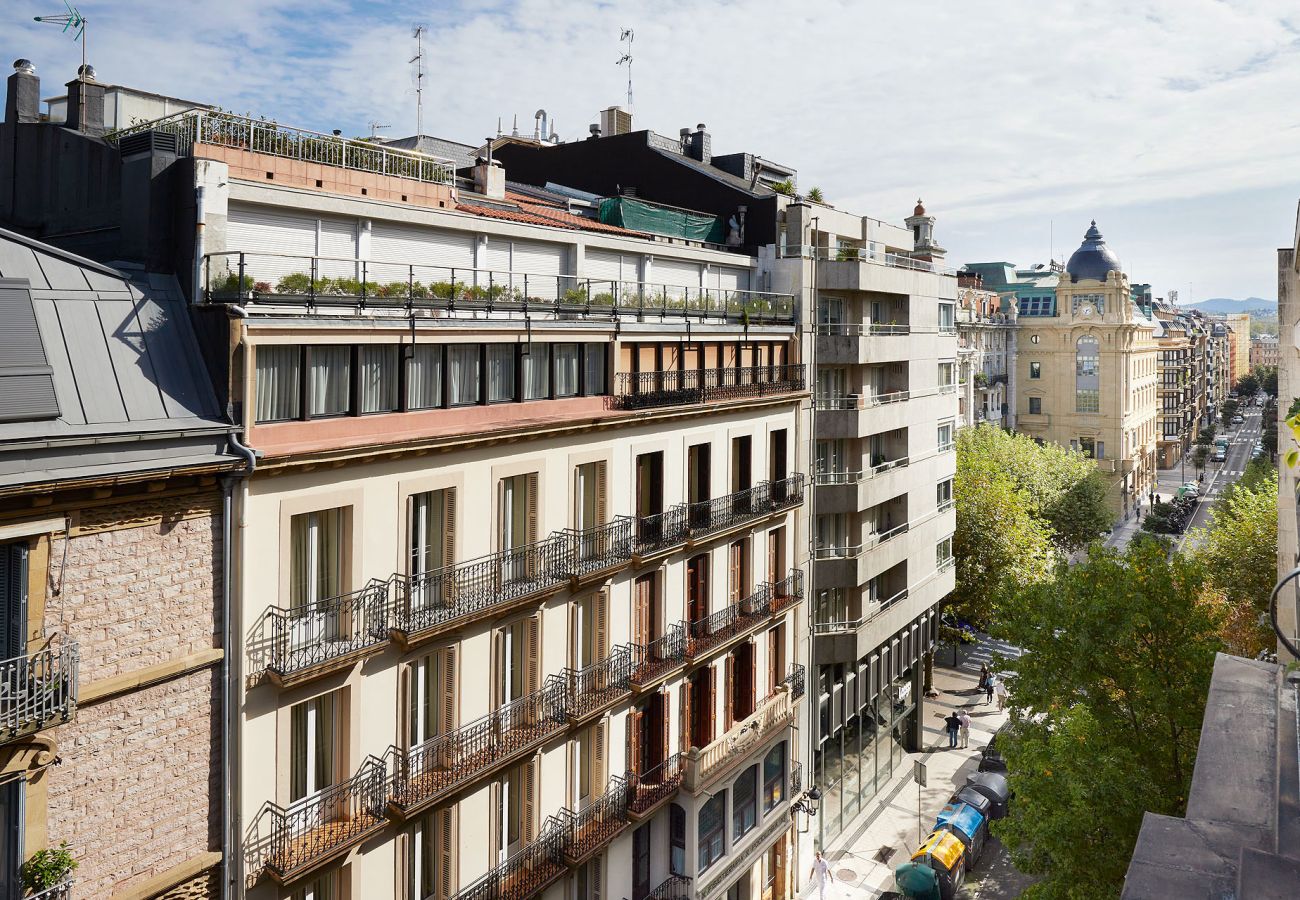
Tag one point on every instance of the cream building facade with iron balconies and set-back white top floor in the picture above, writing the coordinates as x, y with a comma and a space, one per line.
512, 647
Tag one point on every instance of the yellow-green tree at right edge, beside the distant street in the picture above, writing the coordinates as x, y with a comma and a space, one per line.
1240, 553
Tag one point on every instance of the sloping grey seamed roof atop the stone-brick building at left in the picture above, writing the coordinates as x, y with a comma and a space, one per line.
133, 395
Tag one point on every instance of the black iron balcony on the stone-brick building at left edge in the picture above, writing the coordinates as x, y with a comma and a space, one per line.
38, 691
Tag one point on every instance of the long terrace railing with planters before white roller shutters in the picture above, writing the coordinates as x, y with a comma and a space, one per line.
323, 283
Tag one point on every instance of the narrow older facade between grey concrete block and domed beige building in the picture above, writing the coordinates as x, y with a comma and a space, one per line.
986, 356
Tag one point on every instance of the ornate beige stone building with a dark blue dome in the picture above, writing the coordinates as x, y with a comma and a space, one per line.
1087, 371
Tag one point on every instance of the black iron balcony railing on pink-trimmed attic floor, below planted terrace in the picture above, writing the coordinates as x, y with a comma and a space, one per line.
649, 391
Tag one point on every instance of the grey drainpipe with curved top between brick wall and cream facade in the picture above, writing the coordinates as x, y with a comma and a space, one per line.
231, 716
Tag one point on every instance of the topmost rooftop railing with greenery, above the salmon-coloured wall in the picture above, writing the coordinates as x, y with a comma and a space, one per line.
259, 136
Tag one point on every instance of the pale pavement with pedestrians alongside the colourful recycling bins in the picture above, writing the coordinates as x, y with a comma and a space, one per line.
864, 858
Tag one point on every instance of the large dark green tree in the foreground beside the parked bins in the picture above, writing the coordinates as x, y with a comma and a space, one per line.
1107, 709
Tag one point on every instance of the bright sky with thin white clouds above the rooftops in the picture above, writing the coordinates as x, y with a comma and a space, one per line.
1172, 123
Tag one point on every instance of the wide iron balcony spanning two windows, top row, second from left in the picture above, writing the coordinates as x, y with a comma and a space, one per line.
423, 607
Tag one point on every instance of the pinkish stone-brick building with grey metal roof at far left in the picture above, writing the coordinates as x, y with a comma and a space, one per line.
114, 466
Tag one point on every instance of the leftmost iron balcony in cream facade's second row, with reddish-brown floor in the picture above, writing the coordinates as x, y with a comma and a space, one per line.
326, 825
